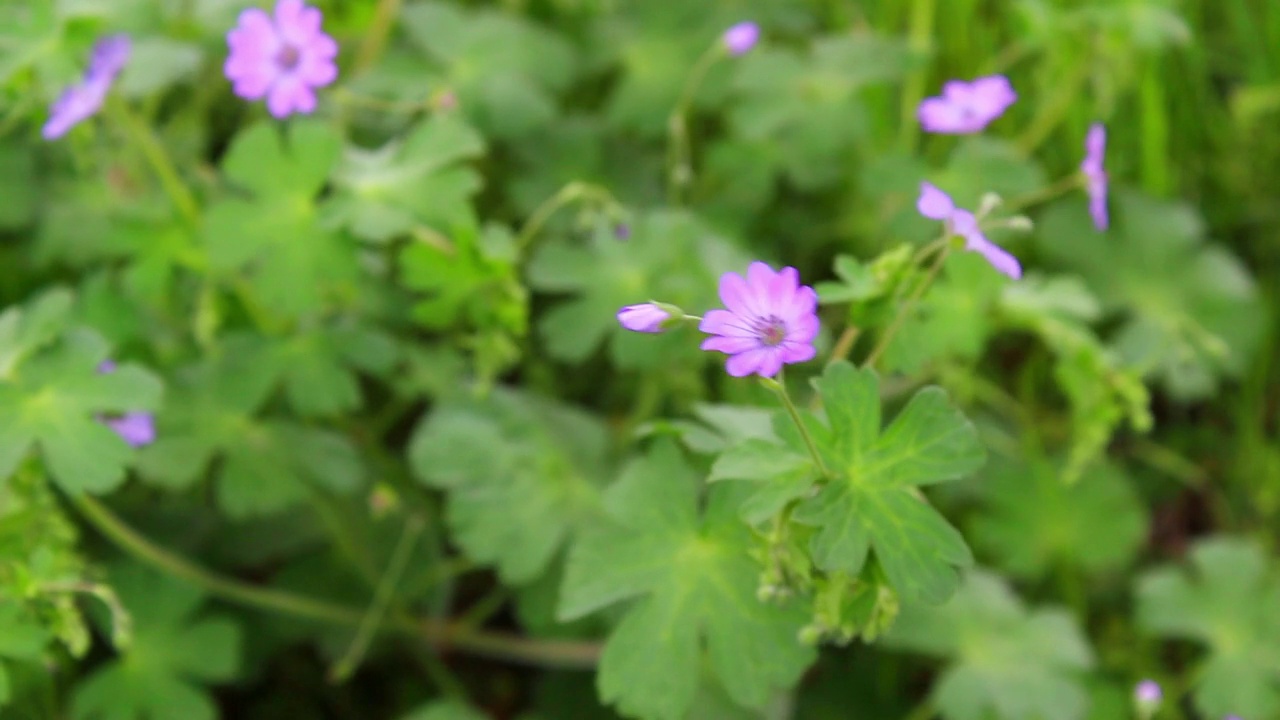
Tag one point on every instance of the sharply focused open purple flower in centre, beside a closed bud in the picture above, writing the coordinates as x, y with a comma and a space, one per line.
771, 320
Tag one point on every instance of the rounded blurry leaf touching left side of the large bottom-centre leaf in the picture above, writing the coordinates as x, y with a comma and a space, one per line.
522, 476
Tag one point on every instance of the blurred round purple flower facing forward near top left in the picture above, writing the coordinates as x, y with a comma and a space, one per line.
282, 58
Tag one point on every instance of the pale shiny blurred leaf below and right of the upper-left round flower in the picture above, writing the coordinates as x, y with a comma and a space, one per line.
417, 181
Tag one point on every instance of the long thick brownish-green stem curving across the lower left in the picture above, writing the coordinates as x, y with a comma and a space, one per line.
501, 646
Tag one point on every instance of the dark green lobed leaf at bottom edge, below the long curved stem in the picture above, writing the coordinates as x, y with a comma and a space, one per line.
172, 657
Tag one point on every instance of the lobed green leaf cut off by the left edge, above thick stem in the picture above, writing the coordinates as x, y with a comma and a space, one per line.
54, 398
